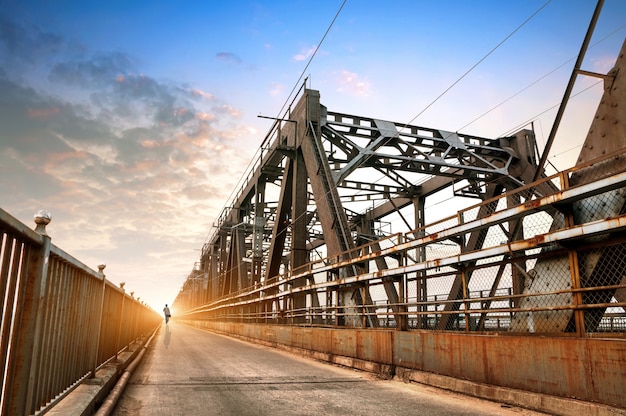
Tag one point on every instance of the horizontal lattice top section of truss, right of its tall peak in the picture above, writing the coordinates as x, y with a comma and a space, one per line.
397, 149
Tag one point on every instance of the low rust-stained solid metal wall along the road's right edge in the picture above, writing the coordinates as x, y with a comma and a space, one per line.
587, 369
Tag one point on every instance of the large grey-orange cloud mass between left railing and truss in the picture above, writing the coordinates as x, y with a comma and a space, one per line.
115, 153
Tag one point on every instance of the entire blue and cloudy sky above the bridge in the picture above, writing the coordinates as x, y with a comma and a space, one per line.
132, 122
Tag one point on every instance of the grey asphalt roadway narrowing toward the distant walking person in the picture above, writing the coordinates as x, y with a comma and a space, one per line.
187, 371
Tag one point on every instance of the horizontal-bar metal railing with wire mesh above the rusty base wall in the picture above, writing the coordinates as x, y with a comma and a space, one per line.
549, 264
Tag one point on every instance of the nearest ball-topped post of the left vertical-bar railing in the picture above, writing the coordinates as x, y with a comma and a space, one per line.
21, 381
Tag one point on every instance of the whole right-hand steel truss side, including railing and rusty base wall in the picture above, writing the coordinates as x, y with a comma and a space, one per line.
326, 248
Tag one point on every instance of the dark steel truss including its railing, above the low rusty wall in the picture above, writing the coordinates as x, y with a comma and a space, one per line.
330, 228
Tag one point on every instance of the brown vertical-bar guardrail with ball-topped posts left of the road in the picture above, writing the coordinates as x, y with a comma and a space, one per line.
61, 320
